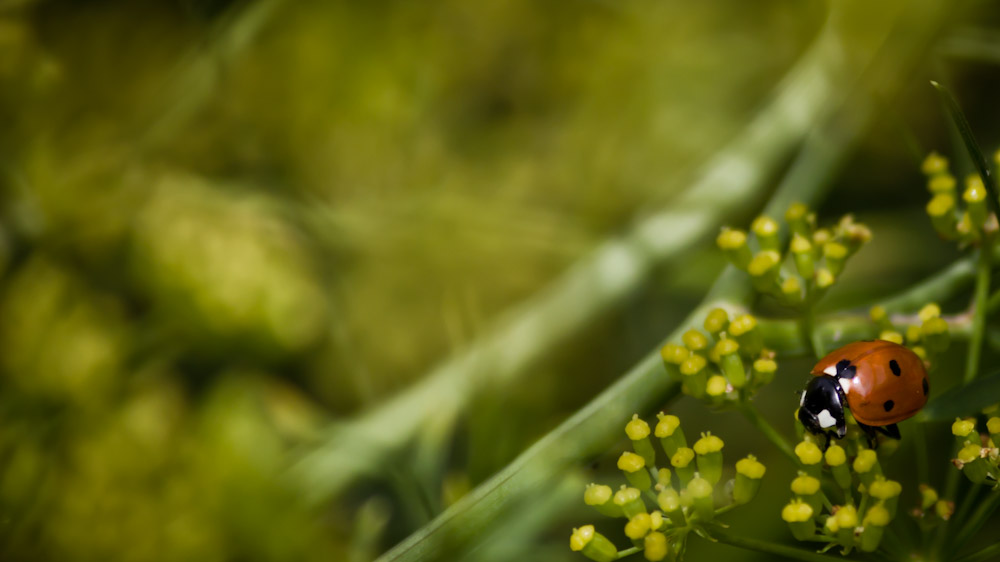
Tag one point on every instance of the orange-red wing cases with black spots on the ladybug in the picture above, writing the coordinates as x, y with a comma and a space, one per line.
889, 382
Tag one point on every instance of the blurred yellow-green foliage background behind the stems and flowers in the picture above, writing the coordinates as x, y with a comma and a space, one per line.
227, 225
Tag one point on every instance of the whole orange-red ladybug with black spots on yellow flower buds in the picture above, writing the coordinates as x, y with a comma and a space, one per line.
882, 383
